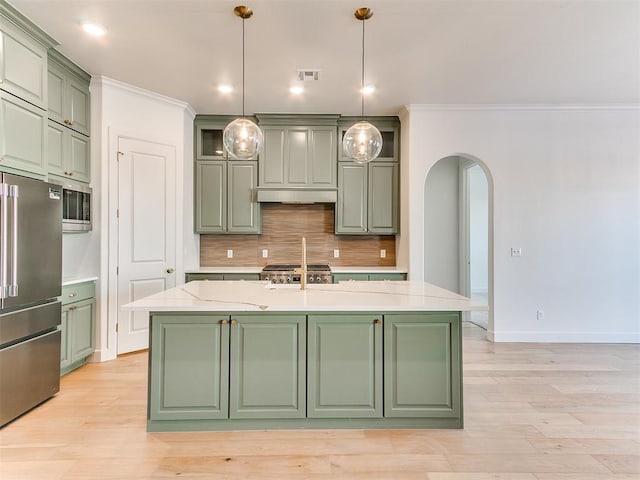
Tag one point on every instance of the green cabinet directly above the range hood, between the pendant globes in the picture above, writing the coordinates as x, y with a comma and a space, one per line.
299, 151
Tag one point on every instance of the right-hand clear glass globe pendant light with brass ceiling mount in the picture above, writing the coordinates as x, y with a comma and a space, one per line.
362, 142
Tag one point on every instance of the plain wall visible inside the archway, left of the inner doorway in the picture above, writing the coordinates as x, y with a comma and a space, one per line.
441, 225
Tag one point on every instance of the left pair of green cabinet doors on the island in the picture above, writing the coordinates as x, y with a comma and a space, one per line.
218, 367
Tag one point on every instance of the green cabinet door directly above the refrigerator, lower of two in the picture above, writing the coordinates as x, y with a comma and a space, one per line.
23, 136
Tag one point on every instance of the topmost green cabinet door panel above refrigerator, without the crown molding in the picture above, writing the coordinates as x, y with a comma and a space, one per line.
23, 66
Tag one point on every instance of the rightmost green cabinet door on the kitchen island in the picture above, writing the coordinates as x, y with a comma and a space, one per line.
422, 365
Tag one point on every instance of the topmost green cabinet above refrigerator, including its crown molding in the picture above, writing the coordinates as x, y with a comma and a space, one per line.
23, 57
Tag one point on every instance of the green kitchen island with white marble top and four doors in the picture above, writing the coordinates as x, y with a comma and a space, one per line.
250, 355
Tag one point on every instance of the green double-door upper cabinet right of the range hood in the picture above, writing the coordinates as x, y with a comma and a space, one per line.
368, 198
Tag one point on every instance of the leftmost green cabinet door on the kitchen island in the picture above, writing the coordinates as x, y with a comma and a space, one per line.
189, 376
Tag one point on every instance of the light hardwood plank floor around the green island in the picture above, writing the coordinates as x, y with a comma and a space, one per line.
532, 412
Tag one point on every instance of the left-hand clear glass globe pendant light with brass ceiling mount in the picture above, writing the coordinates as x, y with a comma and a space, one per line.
242, 138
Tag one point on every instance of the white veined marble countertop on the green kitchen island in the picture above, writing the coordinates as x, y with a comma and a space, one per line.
256, 296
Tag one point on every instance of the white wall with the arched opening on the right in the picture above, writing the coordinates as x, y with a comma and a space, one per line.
566, 190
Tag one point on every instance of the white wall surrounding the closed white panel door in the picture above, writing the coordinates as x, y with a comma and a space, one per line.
122, 109
